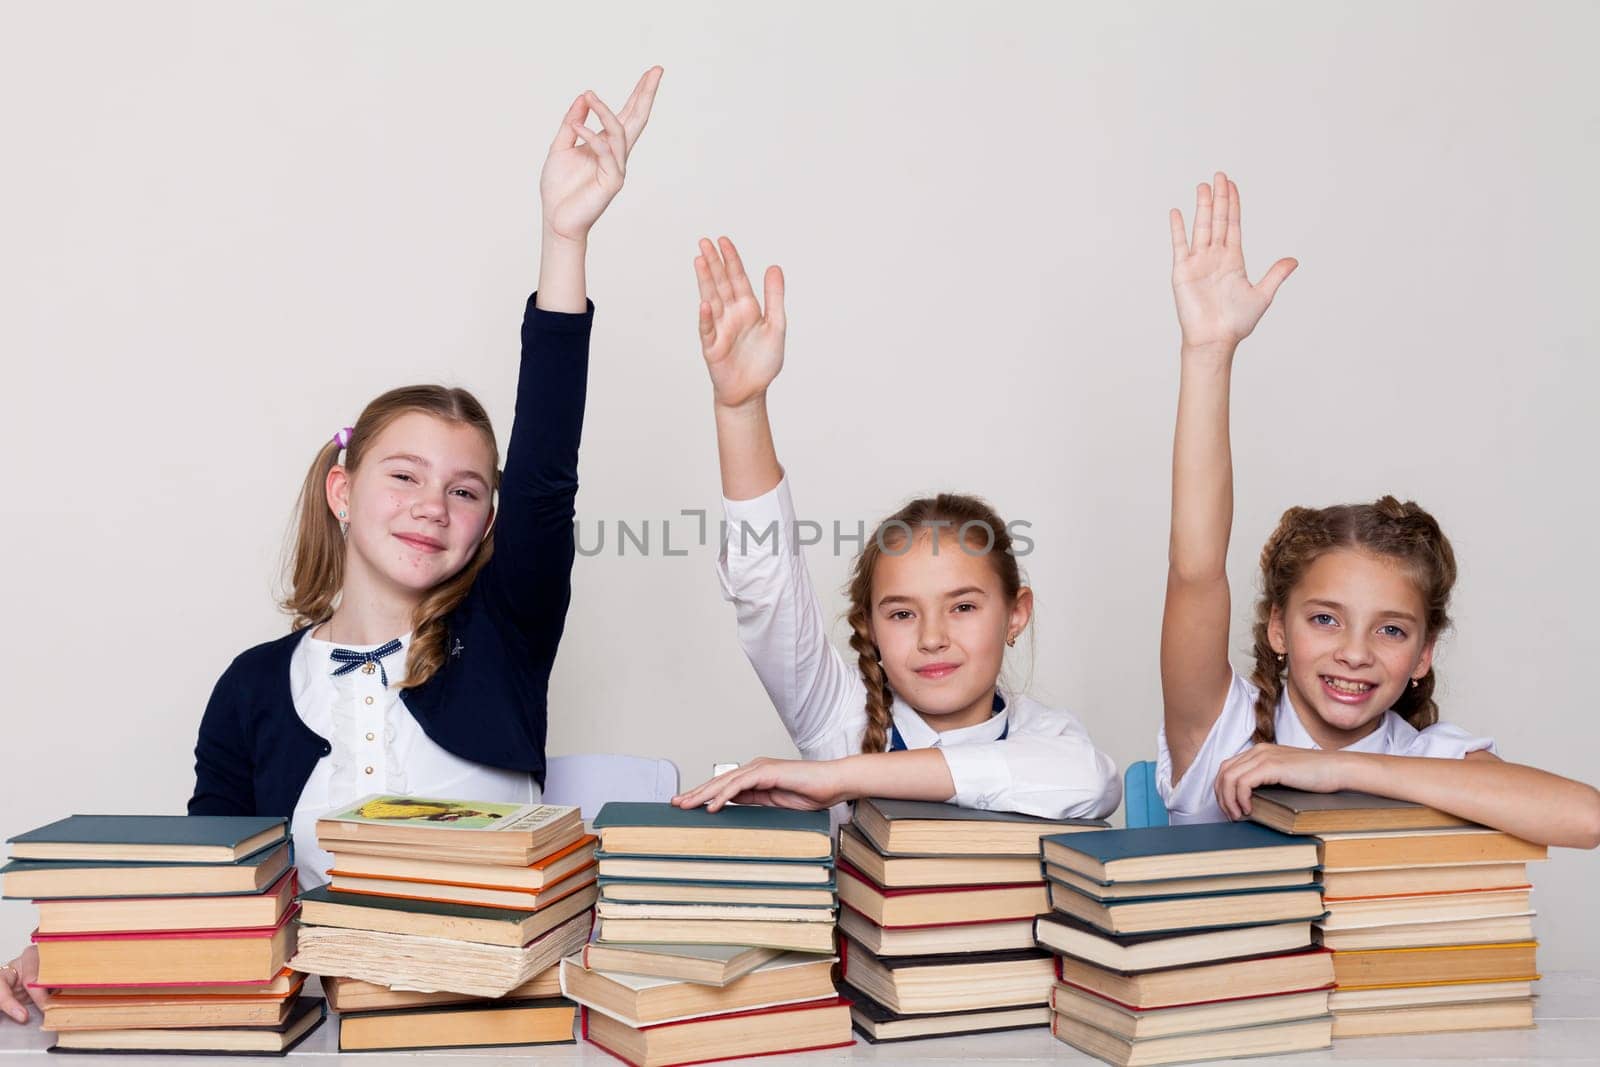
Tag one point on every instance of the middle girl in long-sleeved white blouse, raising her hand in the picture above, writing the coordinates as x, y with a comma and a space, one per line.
937, 597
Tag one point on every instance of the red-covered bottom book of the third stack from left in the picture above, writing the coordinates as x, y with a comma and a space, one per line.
806, 1028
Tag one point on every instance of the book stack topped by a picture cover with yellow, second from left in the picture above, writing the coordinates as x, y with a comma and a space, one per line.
446, 921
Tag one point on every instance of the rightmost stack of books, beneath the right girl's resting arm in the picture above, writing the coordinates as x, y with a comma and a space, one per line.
1430, 917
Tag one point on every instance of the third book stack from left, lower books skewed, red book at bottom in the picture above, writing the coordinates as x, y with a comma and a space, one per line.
716, 937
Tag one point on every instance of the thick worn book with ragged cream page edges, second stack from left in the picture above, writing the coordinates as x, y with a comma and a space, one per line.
436, 965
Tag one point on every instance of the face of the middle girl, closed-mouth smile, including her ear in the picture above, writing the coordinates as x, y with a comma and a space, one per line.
940, 620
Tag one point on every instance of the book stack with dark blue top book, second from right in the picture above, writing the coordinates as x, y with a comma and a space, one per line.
1186, 943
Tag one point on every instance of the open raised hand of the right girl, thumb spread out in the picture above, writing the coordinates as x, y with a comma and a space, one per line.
1217, 303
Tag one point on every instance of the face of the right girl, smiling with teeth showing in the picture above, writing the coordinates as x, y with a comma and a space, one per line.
1354, 637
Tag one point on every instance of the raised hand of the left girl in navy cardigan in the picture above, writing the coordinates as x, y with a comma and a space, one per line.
580, 180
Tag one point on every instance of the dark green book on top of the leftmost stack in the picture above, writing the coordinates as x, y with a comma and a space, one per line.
154, 839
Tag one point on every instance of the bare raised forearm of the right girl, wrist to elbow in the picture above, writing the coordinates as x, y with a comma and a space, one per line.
1202, 468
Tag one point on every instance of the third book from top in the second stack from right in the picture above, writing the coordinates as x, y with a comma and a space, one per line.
1188, 913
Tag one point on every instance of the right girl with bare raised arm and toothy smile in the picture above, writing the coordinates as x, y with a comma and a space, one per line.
1354, 599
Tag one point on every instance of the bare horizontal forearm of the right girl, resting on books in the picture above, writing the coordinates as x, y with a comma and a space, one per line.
1526, 802
